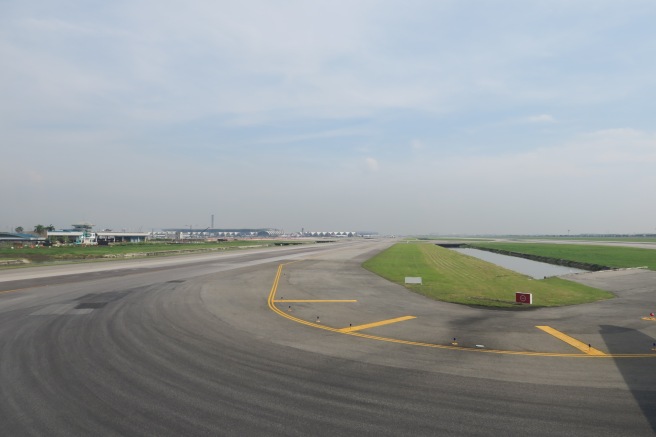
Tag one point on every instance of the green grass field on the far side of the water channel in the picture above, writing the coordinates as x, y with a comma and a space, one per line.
611, 256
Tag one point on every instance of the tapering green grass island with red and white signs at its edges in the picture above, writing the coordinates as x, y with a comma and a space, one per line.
452, 277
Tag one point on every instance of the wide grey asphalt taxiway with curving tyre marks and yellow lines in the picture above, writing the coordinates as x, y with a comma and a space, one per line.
191, 346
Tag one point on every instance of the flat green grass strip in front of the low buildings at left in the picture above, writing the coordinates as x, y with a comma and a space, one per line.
119, 251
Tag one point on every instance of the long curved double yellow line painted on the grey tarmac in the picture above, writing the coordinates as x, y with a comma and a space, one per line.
275, 309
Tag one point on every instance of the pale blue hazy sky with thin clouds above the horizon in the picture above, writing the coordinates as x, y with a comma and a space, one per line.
399, 117
